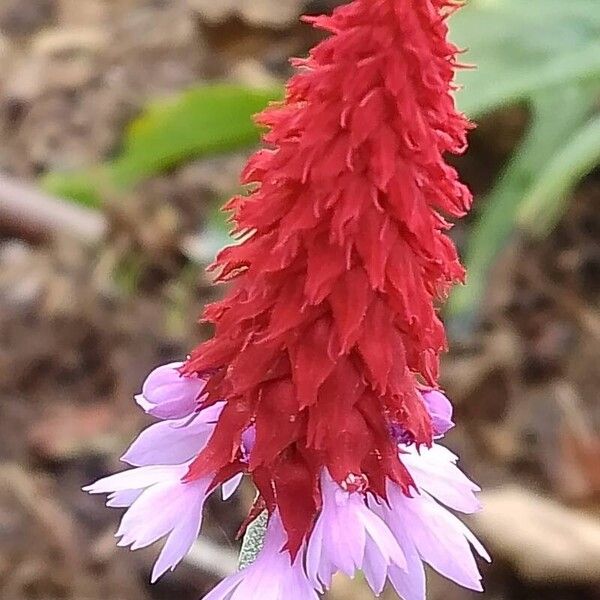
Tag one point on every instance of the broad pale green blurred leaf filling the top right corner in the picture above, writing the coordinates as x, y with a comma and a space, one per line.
520, 48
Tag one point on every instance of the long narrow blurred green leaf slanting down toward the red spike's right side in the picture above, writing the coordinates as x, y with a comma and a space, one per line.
525, 171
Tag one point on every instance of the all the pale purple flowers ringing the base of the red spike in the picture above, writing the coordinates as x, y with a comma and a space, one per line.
353, 531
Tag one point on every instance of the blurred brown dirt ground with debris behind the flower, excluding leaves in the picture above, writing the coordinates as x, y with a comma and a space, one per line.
78, 331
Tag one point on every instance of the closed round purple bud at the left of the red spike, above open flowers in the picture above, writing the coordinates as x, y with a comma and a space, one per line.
166, 394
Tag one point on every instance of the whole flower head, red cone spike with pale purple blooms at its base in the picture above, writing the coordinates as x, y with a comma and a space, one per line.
321, 380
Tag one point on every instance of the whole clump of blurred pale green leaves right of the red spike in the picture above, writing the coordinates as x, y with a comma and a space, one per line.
545, 53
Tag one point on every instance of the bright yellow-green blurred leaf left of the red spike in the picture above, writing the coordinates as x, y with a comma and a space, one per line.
207, 120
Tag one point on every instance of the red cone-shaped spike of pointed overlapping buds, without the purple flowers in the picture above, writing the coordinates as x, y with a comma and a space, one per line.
329, 328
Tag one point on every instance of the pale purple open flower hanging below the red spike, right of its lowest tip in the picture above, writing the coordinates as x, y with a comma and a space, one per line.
347, 537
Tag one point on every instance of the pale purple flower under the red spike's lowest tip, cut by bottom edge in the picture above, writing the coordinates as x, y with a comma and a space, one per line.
272, 576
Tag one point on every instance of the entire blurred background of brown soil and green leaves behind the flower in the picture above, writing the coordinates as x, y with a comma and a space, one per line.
124, 125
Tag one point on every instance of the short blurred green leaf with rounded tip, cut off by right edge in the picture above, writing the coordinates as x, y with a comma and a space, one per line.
545, 203
